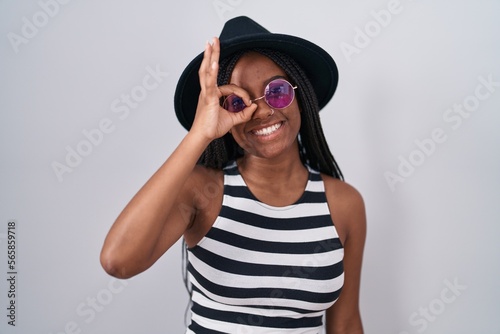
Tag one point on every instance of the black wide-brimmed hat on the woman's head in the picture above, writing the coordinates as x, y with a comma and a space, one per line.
242, 33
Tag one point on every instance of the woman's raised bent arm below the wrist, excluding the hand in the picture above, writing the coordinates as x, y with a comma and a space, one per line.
148, 225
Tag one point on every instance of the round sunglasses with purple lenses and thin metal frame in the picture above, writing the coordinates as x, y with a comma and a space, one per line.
278, 94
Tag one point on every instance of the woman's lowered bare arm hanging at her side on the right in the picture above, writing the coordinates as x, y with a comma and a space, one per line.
348, 213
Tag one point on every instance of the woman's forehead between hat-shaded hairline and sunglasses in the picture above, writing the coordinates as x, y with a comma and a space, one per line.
253, 66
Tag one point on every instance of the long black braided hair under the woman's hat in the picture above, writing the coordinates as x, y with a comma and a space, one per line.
313, 148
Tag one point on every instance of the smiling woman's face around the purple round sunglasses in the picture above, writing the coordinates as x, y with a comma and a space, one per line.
265, 135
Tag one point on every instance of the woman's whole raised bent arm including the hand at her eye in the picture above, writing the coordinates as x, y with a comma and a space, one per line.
151, 223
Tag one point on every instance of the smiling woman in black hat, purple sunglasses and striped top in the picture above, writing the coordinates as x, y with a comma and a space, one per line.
275, 237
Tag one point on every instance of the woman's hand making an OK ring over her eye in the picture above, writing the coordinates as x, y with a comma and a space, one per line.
211, 120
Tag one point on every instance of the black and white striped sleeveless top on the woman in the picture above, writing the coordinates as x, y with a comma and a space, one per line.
266, 269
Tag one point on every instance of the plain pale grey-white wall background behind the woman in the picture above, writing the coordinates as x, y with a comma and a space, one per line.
439, 227
